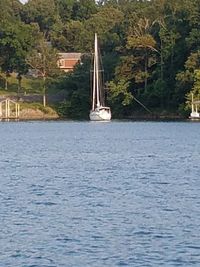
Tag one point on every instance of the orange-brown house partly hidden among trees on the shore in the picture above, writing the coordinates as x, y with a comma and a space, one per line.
67, 61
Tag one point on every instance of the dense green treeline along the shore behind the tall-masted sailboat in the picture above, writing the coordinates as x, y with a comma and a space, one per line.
150, 49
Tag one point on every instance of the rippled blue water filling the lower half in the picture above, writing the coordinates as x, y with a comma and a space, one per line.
84, 194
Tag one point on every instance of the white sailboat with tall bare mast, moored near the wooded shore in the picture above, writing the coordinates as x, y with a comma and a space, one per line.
99, 111
